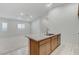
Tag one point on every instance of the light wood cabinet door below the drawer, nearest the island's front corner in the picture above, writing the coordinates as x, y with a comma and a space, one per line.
45, 49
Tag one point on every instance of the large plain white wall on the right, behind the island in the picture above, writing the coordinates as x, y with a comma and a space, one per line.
64, 20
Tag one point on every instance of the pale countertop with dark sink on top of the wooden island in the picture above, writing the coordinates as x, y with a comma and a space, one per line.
39, 37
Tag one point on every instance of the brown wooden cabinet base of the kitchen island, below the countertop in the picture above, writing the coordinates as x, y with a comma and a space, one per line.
44, 46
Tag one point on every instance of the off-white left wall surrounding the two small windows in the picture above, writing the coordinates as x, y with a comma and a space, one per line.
12, 38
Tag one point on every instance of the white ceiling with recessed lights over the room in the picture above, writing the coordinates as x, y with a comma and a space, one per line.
26, 11
